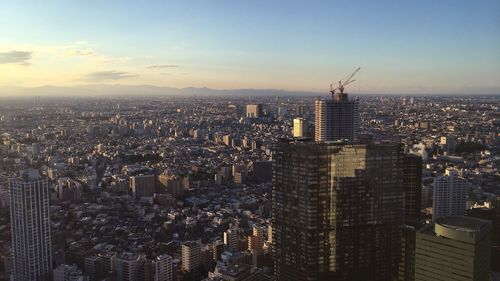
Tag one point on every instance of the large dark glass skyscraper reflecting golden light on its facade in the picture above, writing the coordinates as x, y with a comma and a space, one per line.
336, 211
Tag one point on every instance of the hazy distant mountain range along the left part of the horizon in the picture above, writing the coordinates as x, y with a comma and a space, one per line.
142, 90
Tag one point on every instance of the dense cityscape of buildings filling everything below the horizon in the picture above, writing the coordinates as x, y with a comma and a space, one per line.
250, 188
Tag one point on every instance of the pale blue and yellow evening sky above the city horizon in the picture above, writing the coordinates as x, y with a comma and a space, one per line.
411, 46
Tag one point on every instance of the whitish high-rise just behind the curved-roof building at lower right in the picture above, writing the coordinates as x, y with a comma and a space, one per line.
449, 195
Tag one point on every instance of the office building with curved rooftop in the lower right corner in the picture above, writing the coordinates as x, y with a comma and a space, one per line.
453, 248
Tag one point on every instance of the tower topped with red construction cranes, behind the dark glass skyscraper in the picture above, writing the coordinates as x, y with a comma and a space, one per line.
336, 119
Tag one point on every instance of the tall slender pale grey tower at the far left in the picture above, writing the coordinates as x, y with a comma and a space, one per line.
30, 220
